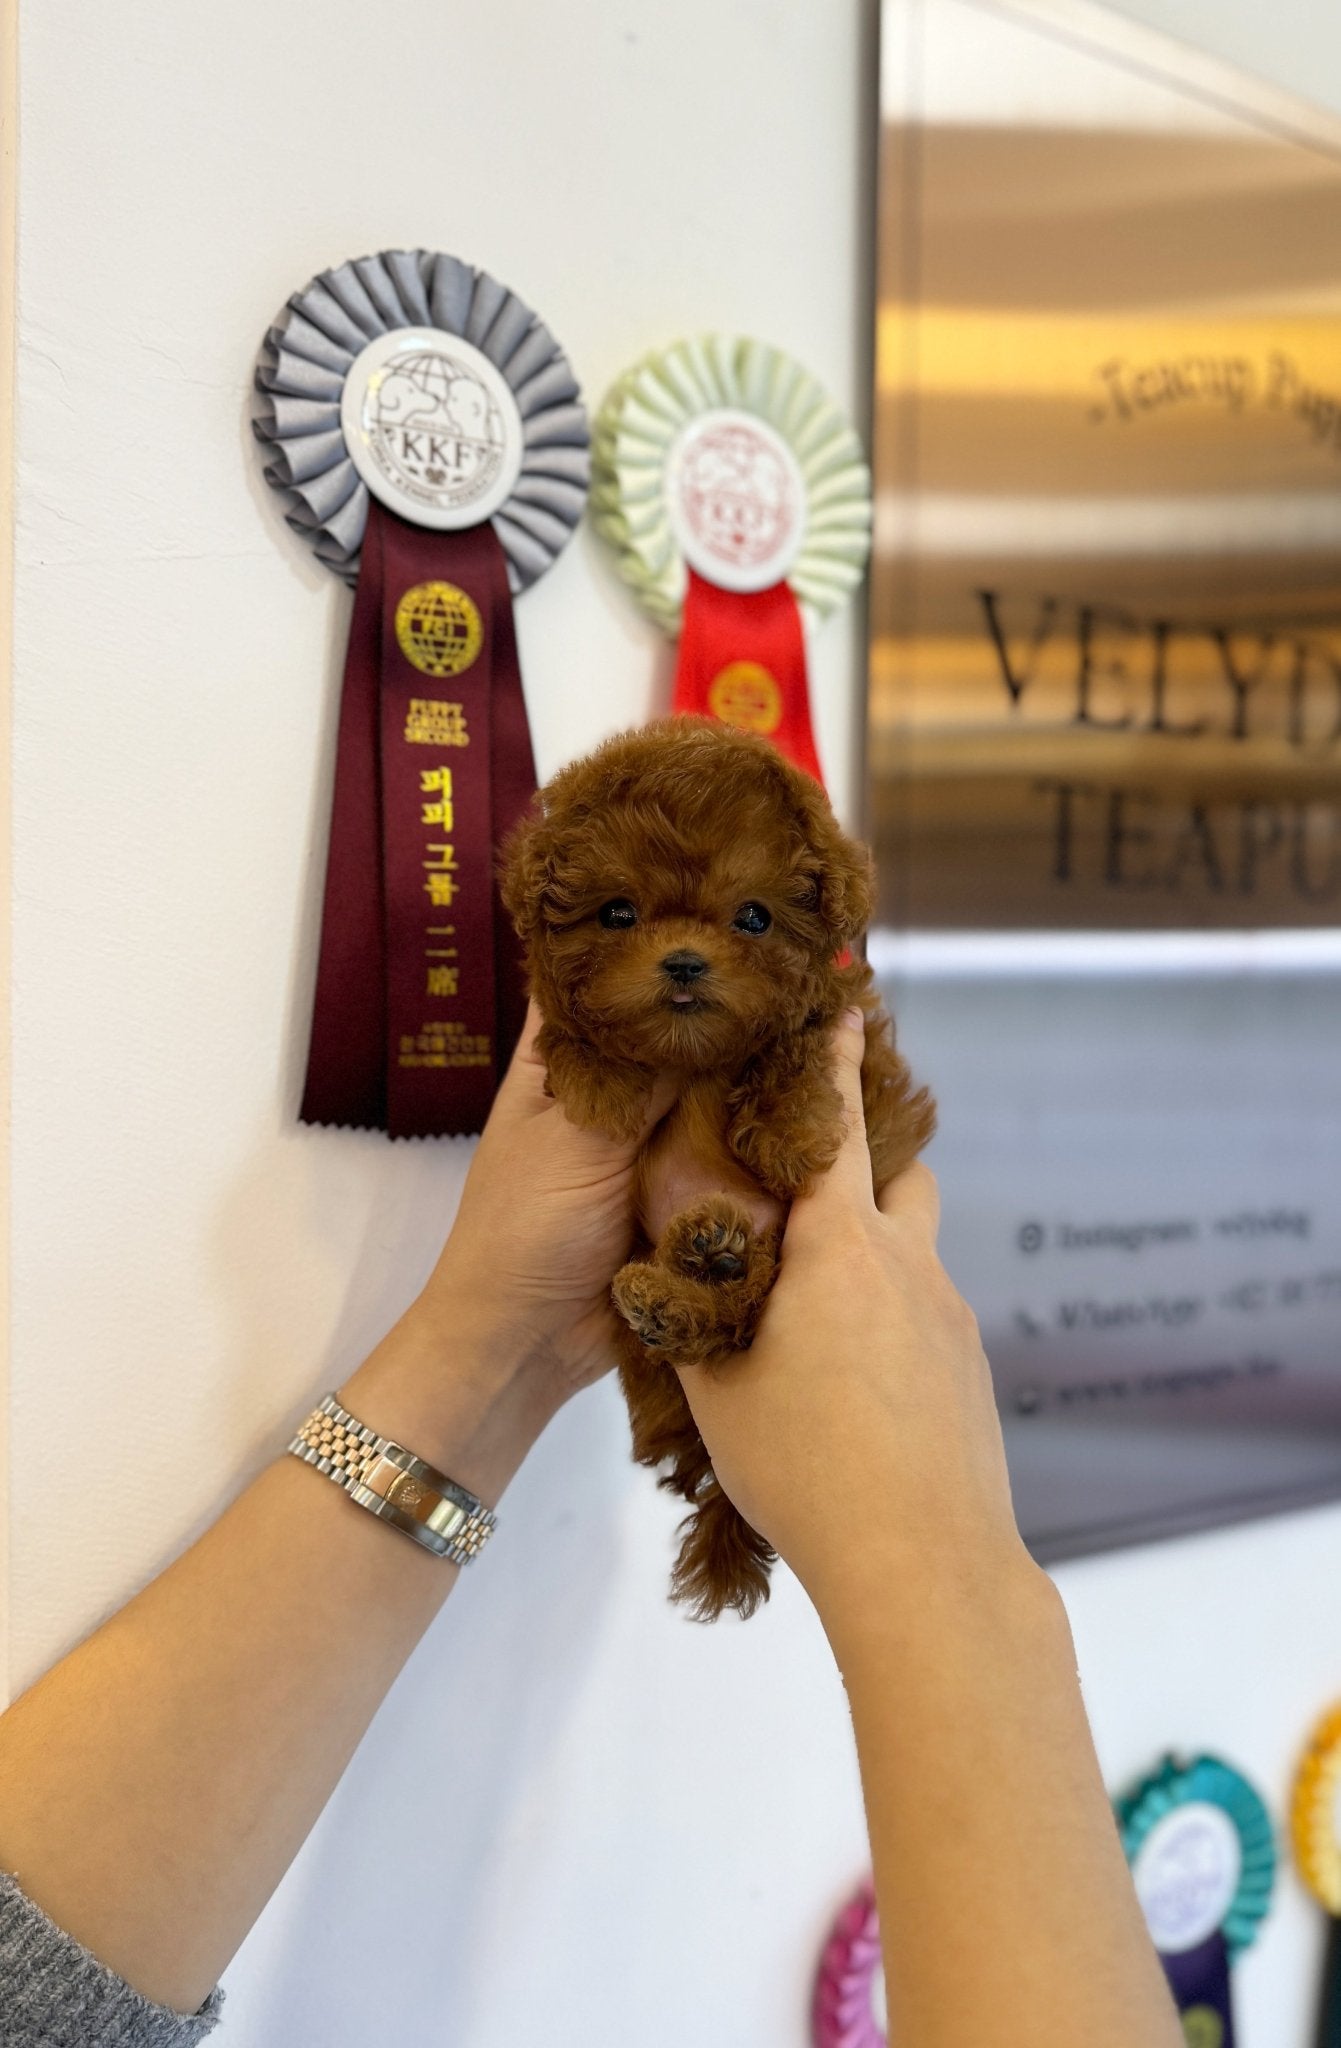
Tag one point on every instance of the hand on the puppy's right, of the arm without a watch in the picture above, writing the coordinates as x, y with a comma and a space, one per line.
861, 1435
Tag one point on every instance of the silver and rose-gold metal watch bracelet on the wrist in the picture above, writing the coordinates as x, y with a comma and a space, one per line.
394, 1486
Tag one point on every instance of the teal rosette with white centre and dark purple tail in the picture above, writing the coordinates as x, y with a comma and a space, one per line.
1203, 1857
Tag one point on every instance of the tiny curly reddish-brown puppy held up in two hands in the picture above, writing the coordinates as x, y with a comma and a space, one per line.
687, 902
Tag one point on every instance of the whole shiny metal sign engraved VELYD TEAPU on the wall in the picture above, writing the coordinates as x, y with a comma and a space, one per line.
1107, 746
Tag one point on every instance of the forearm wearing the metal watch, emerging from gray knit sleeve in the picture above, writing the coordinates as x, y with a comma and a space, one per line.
161, 1779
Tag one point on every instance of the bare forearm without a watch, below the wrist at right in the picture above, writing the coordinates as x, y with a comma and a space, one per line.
1006, 1908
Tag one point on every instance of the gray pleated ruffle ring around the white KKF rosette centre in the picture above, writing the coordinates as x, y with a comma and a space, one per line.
312, 347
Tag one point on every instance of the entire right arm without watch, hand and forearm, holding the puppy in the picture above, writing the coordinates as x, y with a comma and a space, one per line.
861, 1439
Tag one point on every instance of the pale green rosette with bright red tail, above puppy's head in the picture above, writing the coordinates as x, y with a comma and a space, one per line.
738, 499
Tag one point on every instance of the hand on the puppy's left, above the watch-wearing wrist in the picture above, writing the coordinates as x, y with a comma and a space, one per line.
546, 1222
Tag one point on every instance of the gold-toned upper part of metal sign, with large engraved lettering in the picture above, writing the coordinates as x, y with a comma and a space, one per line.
1107, 626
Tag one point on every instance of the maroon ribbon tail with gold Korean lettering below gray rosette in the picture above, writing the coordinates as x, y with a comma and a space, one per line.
421, 990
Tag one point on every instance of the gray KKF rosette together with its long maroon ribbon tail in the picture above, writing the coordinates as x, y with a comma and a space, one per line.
431, 445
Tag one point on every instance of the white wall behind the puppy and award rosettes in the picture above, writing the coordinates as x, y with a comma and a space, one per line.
640, 1830
